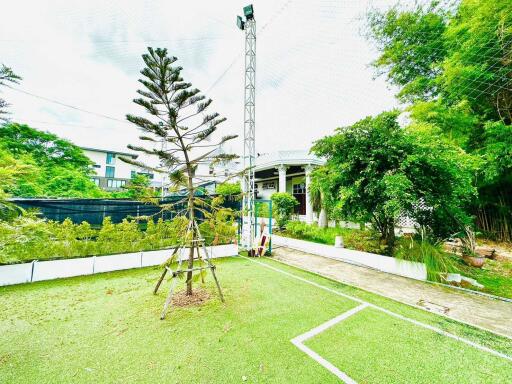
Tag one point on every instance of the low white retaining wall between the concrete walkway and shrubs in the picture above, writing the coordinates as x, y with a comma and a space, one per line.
387, 264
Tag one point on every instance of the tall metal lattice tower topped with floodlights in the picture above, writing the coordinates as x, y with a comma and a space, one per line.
249, 156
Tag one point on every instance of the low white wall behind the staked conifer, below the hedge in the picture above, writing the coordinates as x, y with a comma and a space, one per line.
54, 269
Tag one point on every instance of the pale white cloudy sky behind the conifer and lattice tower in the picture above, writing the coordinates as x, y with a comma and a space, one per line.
313, 72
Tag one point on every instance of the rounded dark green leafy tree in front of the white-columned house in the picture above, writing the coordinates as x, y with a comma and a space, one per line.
380, 171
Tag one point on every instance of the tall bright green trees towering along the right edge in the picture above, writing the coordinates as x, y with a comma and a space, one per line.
456, 65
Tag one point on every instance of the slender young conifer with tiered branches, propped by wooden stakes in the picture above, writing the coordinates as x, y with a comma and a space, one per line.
179, 123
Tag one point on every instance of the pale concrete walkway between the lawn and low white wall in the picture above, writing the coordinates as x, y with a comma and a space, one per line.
480, 311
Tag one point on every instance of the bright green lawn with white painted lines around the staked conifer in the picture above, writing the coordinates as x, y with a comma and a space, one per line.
106, 329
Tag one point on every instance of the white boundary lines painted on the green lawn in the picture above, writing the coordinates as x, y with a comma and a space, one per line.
388, 312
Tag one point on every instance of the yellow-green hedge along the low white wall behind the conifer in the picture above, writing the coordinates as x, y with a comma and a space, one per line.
27, 237
